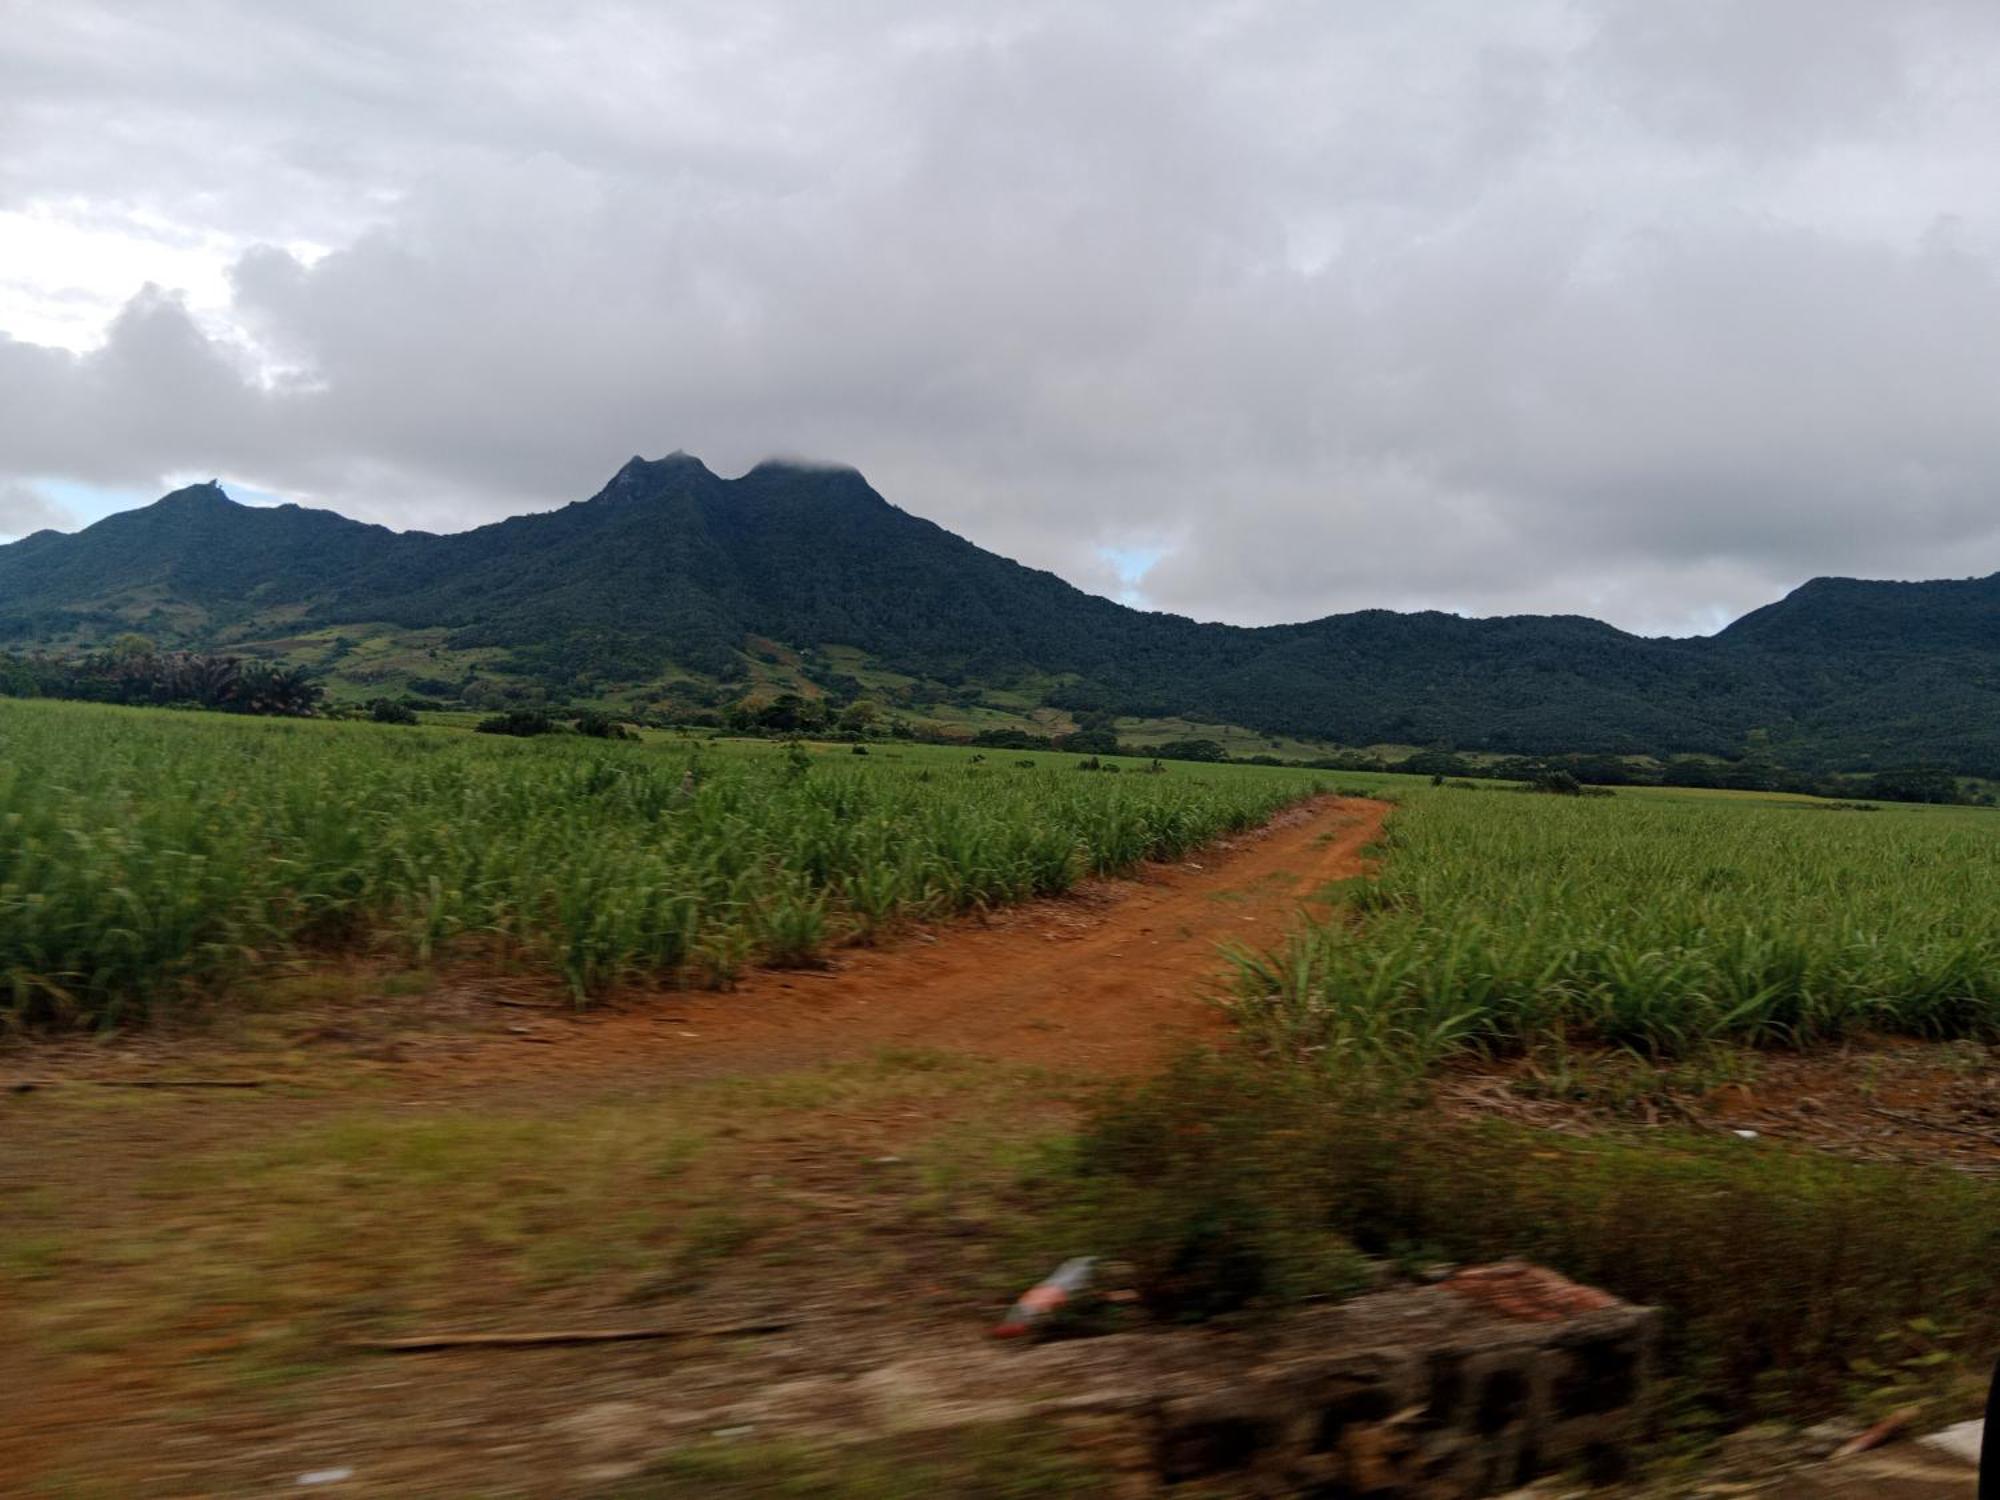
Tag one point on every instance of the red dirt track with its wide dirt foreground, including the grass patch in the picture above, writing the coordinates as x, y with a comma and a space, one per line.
177, 1317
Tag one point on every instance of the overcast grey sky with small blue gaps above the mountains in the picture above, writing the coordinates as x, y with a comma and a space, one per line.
1251, 311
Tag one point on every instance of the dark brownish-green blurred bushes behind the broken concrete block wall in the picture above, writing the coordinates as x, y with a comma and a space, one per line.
1783, 1273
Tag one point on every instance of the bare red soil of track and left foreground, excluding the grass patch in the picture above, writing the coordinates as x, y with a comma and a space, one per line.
1101, 983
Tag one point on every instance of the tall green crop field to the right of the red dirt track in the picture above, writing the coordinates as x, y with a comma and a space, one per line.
1649, 923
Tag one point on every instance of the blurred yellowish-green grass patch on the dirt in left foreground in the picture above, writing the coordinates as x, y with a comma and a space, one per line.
373, 1223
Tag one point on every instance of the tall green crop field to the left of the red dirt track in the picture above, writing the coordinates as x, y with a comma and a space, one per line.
149, 855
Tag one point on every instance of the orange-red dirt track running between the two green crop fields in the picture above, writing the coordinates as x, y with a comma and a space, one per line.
1101, 983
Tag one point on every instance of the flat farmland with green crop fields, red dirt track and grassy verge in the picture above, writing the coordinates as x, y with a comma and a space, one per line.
1505, 1025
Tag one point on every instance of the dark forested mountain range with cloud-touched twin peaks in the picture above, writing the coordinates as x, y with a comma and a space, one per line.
673, 571
